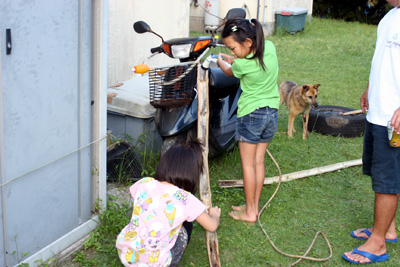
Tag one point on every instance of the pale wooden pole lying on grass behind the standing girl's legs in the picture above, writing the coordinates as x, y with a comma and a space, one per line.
296, 175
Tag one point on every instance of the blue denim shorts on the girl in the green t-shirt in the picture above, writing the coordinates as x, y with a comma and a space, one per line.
258, 126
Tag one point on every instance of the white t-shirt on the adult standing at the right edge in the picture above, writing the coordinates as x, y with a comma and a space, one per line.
384, 79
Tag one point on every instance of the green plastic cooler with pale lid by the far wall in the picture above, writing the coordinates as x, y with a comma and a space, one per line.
293, 19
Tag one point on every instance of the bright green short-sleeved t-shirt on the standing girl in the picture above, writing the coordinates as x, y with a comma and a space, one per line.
260, 88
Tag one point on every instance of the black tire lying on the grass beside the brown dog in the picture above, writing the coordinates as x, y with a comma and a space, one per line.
326, 119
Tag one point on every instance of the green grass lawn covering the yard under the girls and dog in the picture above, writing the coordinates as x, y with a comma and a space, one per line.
337, 55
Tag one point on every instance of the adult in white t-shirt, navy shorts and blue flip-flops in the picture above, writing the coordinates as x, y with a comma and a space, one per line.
381, 161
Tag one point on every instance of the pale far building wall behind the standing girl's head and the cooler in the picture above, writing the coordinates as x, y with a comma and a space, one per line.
267, 18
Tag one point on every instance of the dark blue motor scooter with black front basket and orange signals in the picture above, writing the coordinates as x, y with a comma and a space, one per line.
173, 93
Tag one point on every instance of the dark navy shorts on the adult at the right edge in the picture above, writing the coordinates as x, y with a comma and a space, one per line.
380, 160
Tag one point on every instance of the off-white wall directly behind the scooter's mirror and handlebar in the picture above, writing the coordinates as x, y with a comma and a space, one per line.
126, 48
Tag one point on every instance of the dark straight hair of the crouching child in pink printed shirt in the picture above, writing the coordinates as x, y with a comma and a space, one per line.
181, 165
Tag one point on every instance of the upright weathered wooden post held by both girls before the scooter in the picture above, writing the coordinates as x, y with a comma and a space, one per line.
202, 133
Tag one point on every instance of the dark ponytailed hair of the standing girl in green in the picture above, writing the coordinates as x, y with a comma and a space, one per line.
241, 29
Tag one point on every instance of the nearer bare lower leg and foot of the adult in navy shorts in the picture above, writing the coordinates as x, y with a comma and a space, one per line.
385, 212
